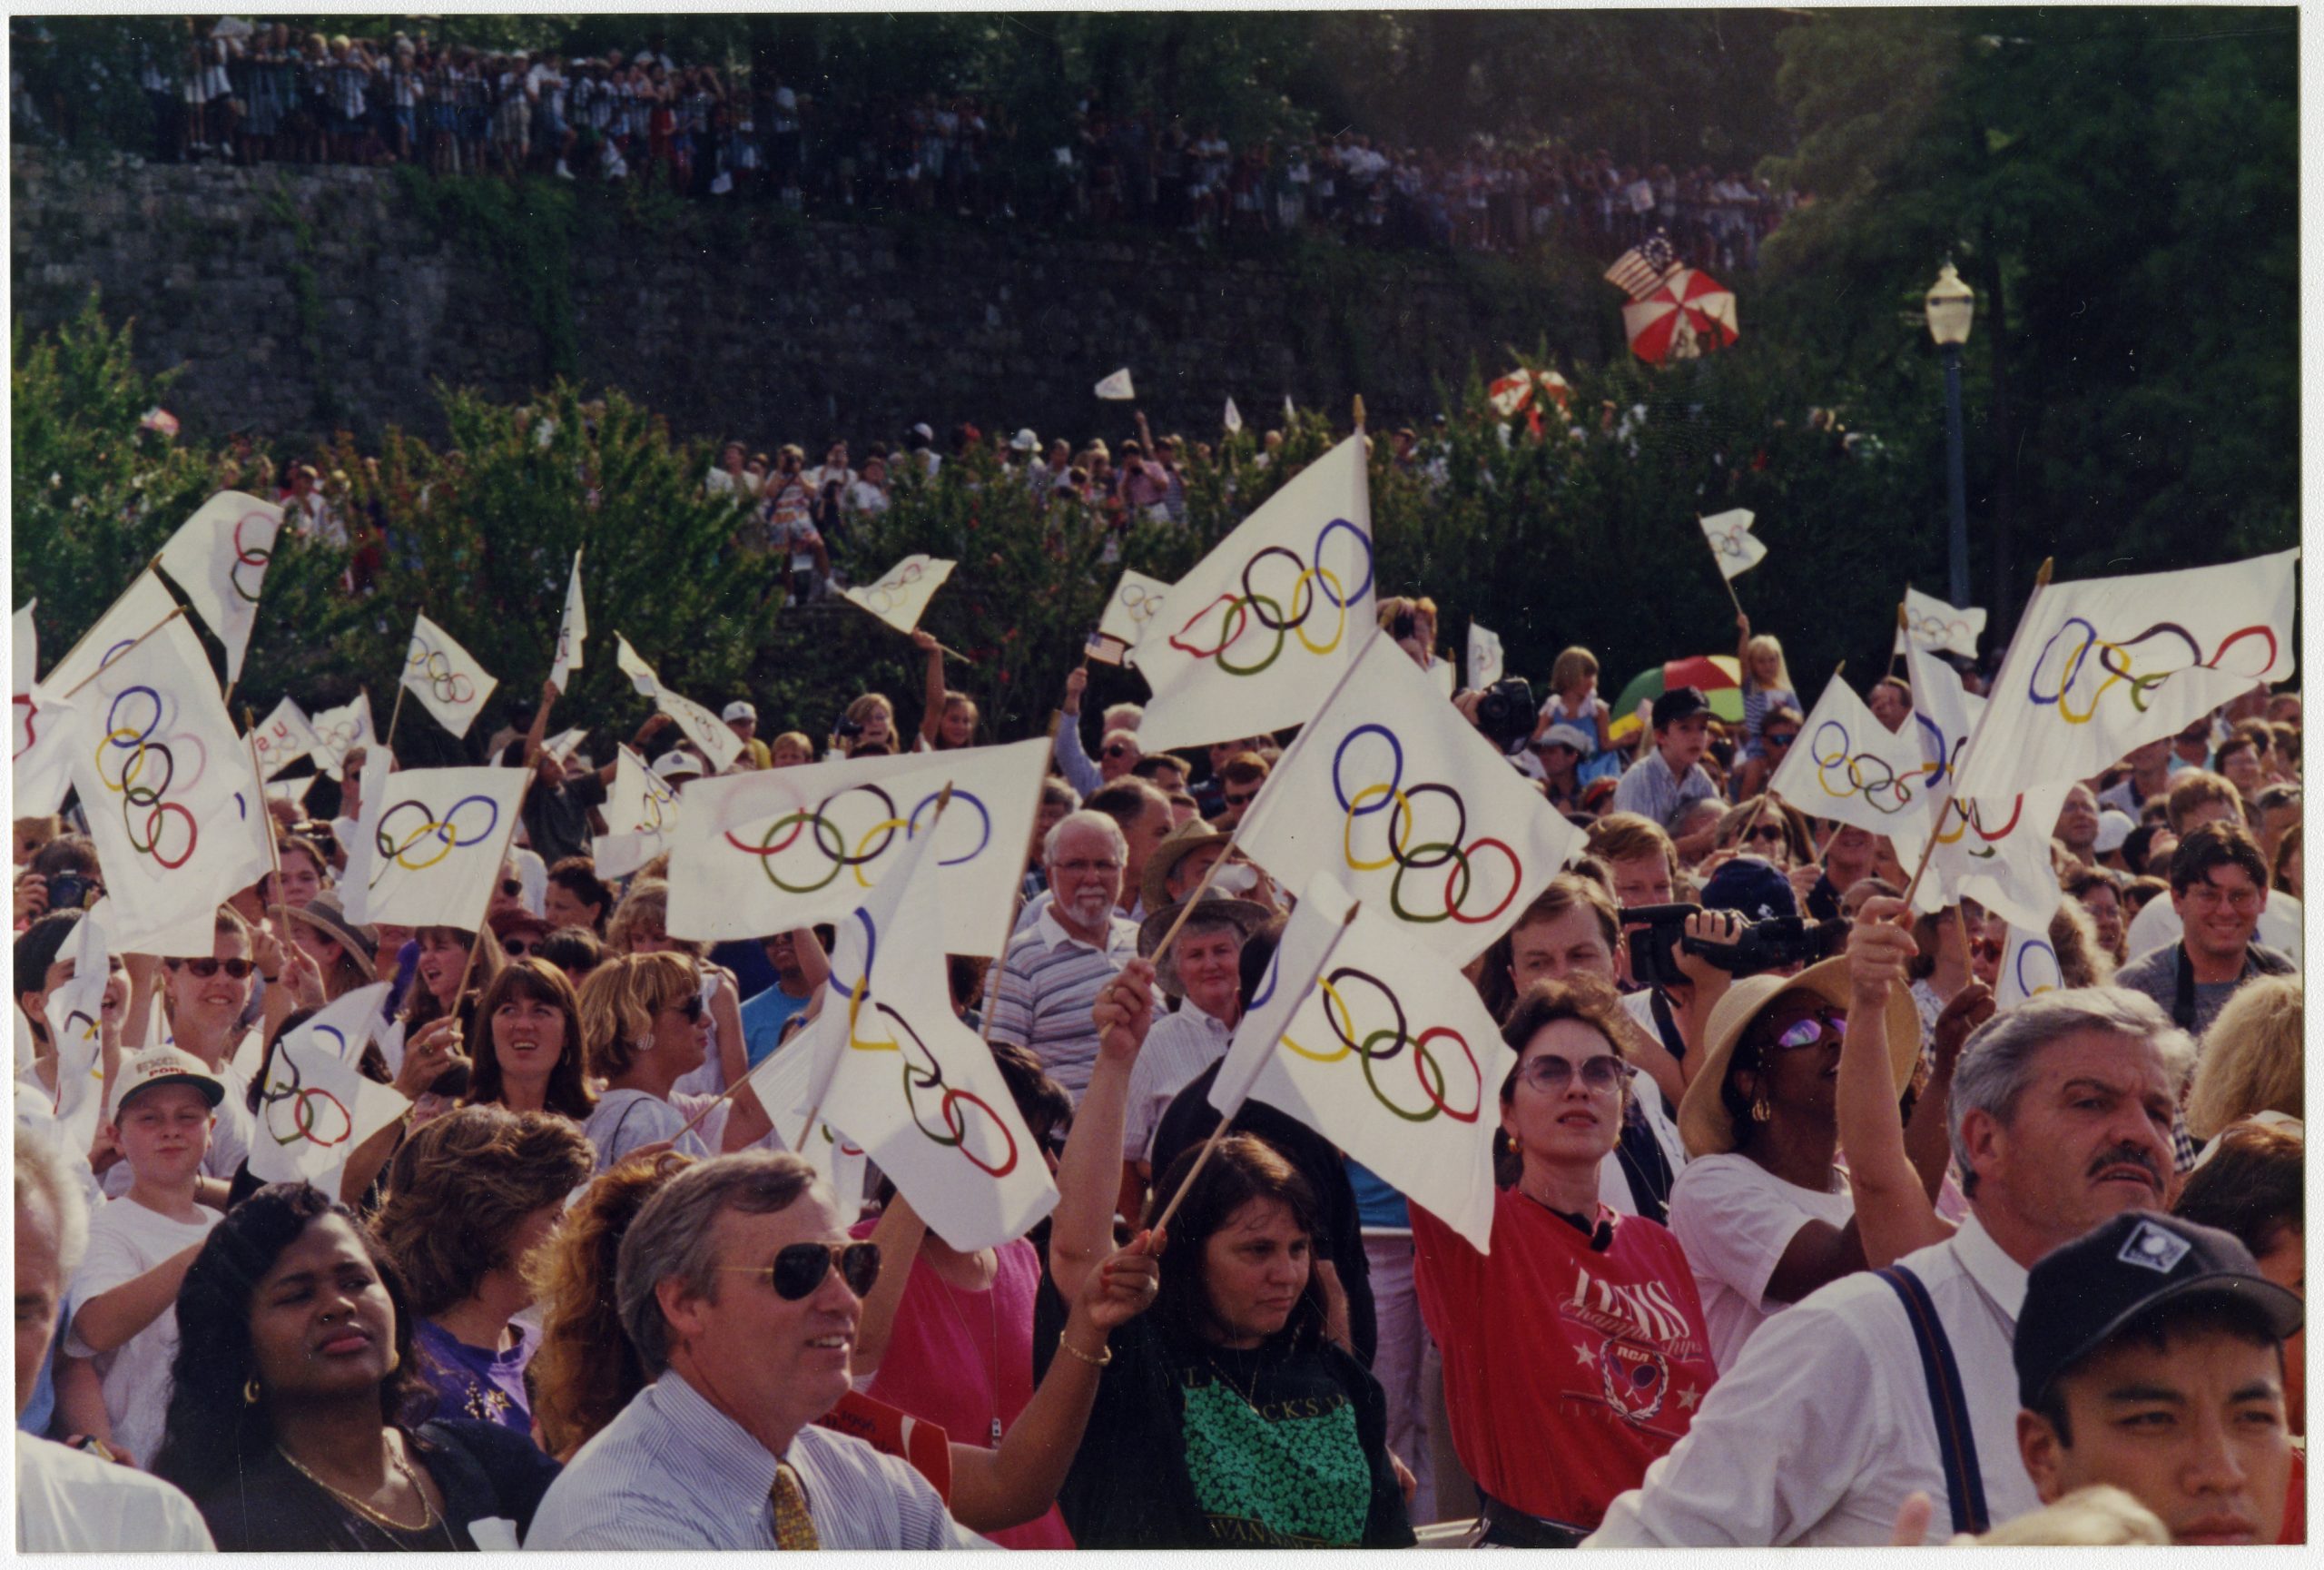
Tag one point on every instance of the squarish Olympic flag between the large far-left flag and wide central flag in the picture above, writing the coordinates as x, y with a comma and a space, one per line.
431, 845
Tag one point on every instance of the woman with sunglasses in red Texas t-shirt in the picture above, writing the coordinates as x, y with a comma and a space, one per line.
1577, 1350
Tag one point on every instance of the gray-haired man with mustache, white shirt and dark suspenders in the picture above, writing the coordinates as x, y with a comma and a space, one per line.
1898, 1383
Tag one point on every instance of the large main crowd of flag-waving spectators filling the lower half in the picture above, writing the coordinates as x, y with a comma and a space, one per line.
1821, 1253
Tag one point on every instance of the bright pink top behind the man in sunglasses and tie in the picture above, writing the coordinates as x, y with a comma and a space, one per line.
963, 1360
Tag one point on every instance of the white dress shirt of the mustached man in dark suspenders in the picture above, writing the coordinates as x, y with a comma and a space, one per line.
1823, 1427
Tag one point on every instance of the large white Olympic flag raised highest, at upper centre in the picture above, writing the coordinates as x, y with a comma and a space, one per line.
1261, 631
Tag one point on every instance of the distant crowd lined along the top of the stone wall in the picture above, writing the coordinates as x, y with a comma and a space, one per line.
275, 94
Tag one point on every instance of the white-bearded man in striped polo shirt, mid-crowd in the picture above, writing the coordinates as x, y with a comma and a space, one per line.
1054, 969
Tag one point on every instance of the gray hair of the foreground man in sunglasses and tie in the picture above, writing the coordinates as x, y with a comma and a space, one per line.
673, 1236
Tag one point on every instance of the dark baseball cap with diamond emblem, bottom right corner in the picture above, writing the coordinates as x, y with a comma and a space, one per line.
2086, 1292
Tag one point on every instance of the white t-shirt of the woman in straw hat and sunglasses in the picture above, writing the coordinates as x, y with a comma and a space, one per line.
1735, 1220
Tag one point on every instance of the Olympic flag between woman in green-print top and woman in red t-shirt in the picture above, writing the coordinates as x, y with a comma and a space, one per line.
1393, 1059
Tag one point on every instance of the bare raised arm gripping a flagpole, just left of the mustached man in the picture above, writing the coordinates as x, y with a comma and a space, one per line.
1895, 1213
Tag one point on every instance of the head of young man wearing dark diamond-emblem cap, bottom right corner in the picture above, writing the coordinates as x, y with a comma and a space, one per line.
2151, 1355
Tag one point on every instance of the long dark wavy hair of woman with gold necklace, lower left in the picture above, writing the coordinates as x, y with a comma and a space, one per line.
210, 1434
